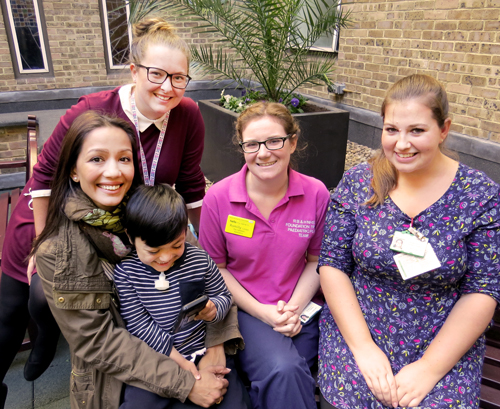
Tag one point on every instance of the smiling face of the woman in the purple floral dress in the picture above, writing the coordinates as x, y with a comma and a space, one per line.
411, 136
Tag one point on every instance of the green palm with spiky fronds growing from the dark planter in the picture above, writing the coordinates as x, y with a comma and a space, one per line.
269, 39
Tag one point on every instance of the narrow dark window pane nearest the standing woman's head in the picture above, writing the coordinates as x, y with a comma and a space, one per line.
118, 32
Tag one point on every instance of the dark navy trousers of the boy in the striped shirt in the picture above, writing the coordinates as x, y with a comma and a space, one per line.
235, 398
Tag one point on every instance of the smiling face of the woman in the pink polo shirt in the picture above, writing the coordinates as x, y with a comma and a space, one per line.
265, 164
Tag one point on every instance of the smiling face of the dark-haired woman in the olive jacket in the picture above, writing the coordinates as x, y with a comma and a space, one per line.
105, 167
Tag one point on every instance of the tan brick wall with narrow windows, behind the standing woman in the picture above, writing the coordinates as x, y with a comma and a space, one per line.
77, 50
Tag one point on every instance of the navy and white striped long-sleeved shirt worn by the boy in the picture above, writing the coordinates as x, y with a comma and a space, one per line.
150, 314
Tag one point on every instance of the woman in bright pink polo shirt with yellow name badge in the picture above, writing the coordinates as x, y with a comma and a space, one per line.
263, 227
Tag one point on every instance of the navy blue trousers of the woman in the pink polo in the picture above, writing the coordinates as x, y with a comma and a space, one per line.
278, 366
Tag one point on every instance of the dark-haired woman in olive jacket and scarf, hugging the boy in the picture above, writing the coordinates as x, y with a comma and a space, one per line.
75, 253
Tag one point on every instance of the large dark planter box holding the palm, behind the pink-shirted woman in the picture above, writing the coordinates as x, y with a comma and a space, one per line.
325, 133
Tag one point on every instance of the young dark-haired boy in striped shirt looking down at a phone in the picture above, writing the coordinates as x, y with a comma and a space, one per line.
156, 222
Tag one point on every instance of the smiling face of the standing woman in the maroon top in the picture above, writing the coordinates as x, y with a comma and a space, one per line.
154, 100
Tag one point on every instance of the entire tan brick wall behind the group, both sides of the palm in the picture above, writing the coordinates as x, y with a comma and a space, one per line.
457, 41
